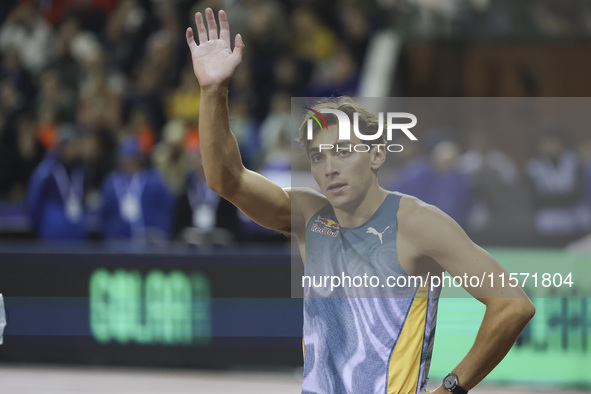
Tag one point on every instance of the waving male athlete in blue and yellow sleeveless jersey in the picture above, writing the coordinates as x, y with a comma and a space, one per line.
426, 242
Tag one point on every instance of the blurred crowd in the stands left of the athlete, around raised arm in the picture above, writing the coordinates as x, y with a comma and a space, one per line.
99, 108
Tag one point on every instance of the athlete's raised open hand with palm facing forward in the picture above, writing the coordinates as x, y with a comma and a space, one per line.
214, 61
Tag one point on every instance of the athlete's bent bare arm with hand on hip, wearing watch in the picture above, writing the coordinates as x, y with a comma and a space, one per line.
438, 238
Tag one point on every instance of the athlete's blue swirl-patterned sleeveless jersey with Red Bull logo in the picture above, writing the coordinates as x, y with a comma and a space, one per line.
363, 339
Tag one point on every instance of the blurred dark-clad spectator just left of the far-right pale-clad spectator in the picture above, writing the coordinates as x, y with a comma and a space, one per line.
500, 198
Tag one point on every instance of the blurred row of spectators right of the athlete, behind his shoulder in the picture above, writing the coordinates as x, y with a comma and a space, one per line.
546, 202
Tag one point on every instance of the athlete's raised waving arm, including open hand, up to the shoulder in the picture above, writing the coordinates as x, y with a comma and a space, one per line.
214, 63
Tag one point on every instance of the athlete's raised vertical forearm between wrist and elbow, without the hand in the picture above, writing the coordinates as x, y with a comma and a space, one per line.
222, 163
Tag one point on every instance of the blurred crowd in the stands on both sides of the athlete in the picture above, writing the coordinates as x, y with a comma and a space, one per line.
99, 113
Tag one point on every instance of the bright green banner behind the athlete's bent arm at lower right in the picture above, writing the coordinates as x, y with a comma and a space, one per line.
555, 347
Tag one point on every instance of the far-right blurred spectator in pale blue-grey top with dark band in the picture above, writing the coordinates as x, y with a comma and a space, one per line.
557, 185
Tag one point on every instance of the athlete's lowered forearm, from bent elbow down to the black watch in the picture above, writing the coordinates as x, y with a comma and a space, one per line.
502, 323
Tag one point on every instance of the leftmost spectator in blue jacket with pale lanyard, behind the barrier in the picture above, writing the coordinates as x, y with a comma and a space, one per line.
56, 192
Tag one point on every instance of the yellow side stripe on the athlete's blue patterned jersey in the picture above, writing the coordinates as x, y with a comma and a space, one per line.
405, 361
